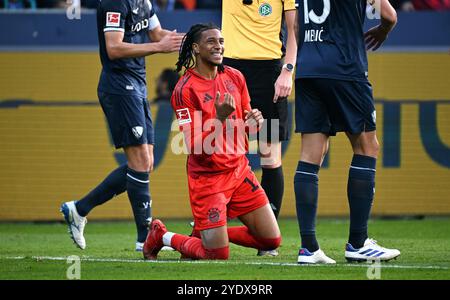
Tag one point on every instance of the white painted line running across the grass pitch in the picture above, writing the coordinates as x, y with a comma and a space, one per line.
119, 260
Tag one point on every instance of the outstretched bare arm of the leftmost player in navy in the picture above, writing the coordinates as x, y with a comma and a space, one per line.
117, 48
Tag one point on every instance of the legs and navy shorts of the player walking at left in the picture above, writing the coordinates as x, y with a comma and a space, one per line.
131, 128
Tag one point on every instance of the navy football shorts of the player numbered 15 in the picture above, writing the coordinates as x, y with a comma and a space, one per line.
329, 106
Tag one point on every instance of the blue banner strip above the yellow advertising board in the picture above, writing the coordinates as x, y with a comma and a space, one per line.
49, 30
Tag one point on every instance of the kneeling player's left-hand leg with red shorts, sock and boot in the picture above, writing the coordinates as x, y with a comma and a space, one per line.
209, 207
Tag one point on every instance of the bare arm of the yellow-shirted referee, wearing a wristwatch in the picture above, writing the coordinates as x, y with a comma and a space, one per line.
283, 85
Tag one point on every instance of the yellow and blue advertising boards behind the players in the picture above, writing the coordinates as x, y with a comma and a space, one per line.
55, 147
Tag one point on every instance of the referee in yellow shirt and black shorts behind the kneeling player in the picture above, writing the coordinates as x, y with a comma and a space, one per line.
254, 45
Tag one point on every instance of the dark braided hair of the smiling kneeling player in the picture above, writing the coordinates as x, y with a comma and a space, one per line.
186, 55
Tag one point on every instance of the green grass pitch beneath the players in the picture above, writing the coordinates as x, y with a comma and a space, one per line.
39, 251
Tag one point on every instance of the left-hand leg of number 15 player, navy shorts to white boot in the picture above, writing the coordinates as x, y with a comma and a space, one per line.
312, 121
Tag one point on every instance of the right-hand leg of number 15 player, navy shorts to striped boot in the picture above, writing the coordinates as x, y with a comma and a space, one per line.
355, 114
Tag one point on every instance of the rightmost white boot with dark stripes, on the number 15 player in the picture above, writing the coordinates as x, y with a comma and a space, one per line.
371, 251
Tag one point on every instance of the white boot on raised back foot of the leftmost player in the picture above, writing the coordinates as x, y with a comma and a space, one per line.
75, 222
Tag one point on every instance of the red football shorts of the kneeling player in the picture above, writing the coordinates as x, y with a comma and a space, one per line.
215, 198
